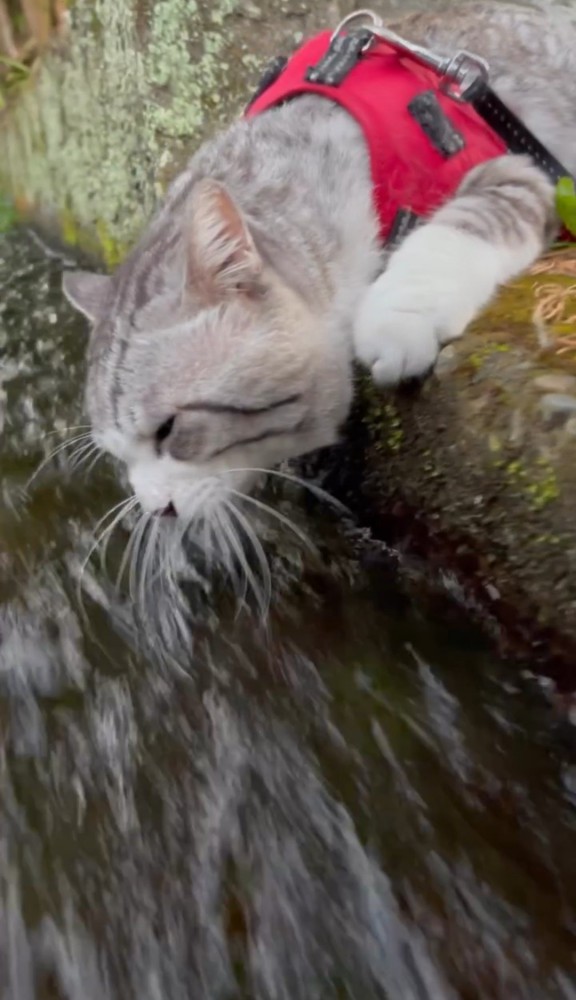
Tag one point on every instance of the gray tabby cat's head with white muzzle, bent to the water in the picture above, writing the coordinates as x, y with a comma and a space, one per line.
217, 372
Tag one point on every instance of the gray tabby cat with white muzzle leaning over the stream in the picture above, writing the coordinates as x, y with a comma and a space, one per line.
224, 344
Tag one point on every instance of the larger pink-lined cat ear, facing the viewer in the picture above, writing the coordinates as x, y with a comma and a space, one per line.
221, 255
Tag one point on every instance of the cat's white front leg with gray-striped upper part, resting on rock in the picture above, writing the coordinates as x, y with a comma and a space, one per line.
446, 271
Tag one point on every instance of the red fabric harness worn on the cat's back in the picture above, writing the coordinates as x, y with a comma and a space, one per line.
381, 91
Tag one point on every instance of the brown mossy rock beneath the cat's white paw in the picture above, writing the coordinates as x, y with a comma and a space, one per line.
475, 470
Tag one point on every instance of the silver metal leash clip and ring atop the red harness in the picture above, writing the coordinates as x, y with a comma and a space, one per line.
459, 73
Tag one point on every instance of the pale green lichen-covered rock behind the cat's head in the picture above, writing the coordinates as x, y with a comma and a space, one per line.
121, 100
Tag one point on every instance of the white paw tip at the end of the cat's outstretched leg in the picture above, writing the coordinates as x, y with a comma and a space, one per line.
394, 343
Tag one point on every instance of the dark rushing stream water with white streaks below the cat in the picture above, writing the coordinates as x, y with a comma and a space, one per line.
351, 802
